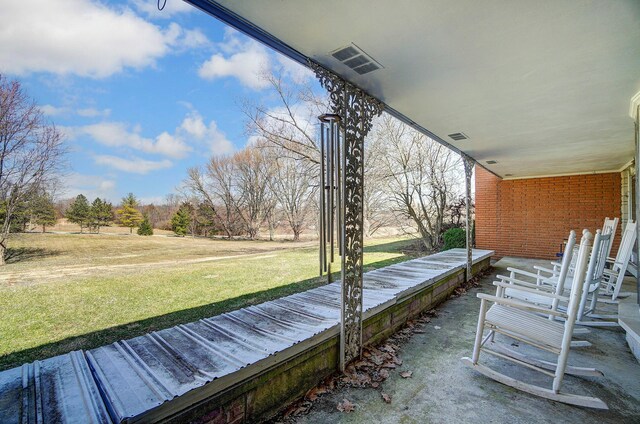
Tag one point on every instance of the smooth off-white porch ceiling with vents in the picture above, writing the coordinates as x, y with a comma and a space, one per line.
541, 87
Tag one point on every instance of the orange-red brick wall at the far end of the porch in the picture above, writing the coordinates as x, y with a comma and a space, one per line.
531, 217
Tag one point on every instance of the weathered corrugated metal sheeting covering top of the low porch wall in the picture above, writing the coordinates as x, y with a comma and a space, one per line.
134, 379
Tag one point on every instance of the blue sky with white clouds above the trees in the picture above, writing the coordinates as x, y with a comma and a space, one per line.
141, 95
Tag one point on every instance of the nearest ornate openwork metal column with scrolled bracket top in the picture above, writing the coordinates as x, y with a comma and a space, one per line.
356, 110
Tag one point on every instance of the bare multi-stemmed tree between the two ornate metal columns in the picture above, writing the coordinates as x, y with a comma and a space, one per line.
422, 177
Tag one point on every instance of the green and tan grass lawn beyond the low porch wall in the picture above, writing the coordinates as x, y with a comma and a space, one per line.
116, 287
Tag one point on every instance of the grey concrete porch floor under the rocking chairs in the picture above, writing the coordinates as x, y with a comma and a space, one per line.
443, 390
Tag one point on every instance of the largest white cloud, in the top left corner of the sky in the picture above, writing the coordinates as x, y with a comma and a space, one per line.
82, 37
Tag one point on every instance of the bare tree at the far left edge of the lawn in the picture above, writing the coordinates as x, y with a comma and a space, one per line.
31, 150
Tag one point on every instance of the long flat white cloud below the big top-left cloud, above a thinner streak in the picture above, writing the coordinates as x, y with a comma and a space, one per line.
117, 134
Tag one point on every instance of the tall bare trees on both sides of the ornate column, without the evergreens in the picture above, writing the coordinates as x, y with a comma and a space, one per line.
410, 181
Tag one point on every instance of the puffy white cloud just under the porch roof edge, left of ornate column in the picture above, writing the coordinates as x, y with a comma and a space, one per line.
241, 58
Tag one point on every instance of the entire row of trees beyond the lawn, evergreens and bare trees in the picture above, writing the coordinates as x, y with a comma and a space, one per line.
411, 182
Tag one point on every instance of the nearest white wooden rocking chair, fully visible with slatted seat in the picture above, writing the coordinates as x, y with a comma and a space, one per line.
513, 318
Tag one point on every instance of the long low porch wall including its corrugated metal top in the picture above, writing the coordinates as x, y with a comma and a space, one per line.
163, 378
